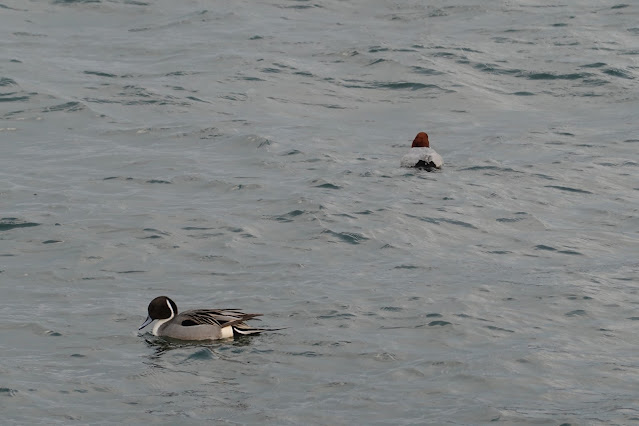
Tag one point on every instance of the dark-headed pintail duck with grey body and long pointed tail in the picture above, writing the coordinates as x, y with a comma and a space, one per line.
197, 324
